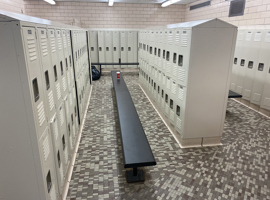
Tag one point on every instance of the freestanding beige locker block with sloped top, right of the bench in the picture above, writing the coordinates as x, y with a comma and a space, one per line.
188, 78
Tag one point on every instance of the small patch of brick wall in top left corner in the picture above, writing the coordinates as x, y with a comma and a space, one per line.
12, 5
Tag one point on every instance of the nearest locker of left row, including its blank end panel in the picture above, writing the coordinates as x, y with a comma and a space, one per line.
24, 103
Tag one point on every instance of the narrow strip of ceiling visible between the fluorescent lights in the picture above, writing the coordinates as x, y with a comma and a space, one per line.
134, 1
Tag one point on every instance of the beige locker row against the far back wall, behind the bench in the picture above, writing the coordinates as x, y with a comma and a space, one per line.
111, 46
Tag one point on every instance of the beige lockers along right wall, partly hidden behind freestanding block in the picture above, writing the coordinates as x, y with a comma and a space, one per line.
251, 67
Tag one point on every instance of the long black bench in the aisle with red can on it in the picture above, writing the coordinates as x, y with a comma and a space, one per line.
136, 149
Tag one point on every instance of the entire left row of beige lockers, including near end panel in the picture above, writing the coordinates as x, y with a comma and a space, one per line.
45, 85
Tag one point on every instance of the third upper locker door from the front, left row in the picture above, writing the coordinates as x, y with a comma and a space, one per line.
55, 65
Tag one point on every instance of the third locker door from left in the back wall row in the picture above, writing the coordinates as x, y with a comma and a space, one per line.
109, 48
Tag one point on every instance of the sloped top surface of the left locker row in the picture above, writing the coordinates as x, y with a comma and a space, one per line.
6, 16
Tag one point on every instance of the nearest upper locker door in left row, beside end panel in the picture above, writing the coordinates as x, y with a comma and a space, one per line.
35, 79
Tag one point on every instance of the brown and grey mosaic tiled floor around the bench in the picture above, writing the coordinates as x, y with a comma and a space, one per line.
240, 169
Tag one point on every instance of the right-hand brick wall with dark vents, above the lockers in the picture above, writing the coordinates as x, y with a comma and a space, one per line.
257, 12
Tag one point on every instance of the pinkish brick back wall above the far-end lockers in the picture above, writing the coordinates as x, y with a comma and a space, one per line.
100, 15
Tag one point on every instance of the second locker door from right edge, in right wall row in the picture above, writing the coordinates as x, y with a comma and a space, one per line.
261, 69
